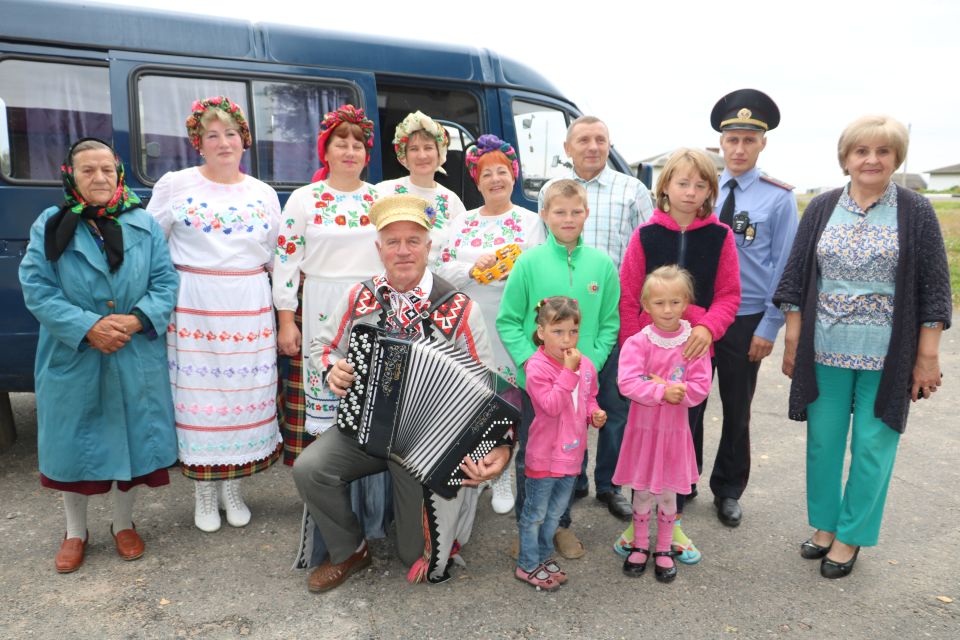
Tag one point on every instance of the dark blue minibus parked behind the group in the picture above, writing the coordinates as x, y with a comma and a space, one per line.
70, 70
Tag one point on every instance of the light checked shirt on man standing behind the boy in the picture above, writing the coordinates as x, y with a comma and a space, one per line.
618, 204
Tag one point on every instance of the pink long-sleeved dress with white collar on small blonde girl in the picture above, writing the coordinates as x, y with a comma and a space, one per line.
657, 453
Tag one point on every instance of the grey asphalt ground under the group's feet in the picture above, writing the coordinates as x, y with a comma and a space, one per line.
751, 584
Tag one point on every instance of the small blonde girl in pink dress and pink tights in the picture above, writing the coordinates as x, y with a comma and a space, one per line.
657, 459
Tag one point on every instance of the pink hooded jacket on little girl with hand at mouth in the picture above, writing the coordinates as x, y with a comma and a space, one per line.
557, 438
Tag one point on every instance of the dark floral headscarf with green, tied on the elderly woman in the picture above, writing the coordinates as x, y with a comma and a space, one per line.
62, 226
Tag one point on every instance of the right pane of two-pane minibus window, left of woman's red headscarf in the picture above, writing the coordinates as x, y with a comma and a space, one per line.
287, 117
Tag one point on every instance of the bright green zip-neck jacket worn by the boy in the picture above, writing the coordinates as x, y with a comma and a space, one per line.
586, 274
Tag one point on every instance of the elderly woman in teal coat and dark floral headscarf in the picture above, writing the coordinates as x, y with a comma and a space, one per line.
98, 277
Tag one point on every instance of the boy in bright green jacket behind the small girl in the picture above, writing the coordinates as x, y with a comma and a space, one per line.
561, 266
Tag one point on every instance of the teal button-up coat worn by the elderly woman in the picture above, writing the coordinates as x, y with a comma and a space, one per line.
101, 417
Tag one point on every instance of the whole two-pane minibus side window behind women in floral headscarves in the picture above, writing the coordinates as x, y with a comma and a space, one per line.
284, 122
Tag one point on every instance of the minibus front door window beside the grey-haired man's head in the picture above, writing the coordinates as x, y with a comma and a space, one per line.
541, 131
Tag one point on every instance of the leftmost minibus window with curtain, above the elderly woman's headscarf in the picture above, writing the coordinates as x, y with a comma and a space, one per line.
45, 107
